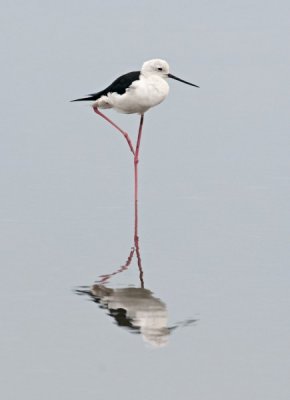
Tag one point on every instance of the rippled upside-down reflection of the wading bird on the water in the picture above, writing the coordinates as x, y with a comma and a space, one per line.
134, 308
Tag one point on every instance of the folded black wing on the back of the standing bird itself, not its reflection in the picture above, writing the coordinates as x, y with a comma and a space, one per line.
120, 85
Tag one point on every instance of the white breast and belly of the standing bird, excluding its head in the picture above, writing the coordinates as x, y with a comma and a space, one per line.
142, 95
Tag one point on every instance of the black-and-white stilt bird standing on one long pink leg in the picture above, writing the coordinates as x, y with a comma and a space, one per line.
134, 93
